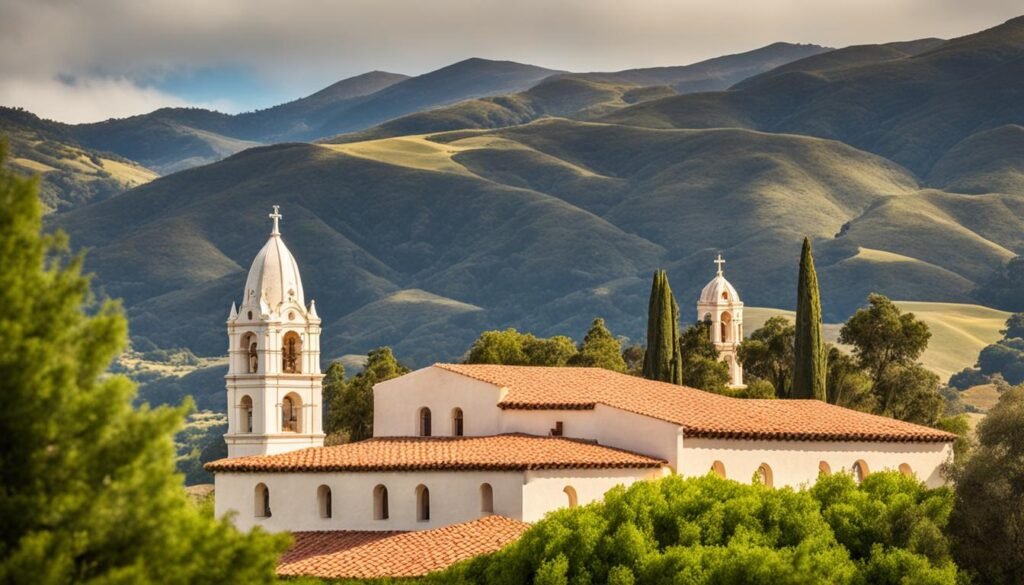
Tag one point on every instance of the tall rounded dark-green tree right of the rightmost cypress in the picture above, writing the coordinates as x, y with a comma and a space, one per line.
887, 344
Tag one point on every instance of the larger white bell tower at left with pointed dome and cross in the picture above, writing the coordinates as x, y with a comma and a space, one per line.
274, 378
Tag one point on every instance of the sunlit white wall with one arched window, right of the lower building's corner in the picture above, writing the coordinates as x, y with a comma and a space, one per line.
545, 489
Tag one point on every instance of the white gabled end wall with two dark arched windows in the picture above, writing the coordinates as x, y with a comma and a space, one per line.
398, 404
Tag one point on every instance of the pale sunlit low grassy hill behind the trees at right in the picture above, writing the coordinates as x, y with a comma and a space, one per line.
959, 331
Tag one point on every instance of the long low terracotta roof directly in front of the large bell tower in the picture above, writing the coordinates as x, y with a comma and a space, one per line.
497, 453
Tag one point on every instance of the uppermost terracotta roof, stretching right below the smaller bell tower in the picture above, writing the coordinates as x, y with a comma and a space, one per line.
700, 413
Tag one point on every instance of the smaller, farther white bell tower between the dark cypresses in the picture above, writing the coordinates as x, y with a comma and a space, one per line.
720, 305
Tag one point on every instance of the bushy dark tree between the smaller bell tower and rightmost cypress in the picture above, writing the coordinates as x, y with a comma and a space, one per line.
769, 354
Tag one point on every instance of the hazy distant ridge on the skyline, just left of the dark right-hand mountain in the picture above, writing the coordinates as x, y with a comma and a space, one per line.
713, 74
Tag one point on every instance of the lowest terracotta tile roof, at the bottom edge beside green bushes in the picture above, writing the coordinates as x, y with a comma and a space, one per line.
349, 555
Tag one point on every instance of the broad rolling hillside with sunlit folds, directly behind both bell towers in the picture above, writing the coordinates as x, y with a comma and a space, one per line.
541, 227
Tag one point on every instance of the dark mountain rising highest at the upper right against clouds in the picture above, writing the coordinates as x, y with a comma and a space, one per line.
911, 109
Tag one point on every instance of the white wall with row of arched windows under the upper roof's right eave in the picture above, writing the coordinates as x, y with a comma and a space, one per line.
796, 463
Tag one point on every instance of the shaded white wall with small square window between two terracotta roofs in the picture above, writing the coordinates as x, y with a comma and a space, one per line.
611, 428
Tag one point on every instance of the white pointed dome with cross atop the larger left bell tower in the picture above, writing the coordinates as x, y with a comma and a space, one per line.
274, 279
